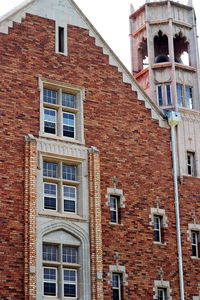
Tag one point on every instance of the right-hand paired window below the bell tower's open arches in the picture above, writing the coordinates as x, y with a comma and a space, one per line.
184, 95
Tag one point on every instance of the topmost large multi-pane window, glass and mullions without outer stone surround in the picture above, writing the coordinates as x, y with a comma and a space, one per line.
60, 113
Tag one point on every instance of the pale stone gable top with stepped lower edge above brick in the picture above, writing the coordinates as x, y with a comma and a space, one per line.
66, 11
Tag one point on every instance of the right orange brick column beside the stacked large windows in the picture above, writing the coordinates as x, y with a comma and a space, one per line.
95, 225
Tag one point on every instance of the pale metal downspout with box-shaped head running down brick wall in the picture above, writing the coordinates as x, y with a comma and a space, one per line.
173, 120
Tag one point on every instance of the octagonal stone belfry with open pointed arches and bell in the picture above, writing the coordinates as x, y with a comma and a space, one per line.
165, 57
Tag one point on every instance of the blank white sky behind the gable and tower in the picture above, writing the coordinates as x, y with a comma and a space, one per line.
111, 19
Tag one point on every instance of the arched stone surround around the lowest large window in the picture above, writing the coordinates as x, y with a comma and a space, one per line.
76, 231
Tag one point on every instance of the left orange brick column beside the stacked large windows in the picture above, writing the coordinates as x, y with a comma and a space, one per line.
30, 217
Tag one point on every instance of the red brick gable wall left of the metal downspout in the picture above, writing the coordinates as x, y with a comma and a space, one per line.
132, 146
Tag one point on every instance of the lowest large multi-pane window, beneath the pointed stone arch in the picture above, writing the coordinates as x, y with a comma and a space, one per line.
60, 263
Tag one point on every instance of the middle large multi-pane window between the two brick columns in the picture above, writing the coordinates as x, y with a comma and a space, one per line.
60, 186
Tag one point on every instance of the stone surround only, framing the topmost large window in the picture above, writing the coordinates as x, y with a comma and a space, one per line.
80, 97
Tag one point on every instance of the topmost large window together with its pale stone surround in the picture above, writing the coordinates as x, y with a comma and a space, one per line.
61, 111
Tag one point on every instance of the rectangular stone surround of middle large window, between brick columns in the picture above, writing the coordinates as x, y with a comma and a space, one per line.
58, 151
